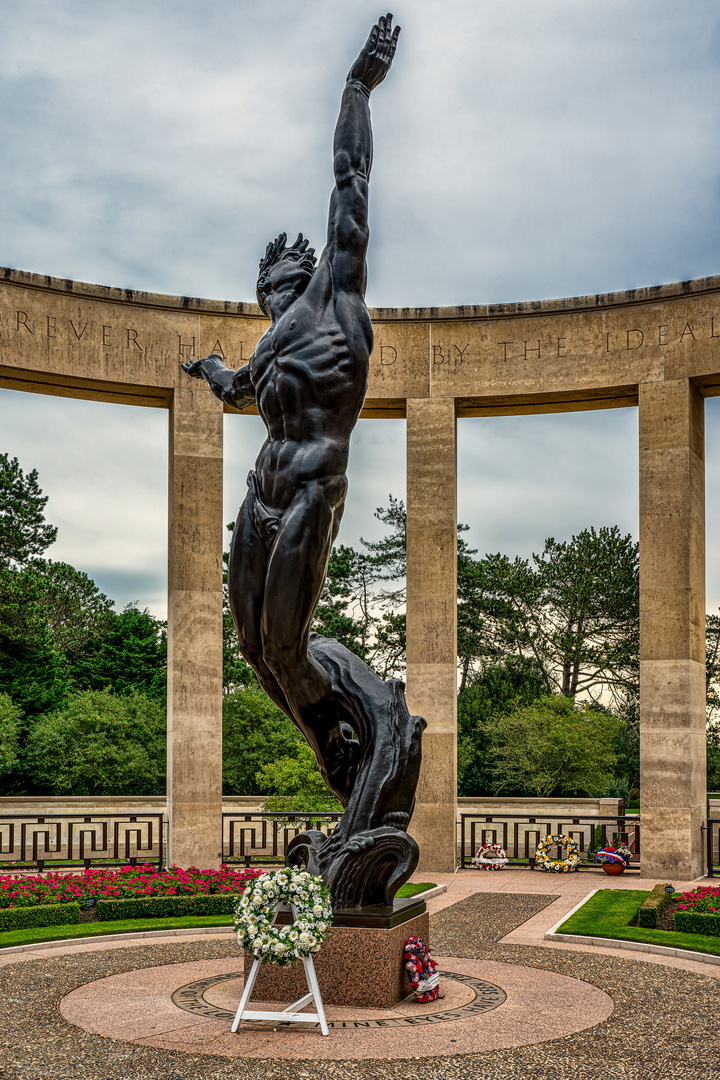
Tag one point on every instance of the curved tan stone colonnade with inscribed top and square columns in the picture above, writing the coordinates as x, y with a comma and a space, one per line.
657, 349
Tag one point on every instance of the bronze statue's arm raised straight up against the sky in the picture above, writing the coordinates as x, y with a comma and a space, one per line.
348, 228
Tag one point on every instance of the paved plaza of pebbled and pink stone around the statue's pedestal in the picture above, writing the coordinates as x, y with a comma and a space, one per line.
517, 1005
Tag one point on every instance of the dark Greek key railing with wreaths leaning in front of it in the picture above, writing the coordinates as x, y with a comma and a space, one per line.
521, 835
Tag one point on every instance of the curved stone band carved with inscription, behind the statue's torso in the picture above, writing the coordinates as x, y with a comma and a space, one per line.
524, 353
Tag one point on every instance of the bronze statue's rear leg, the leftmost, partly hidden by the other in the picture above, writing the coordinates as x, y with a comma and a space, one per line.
248, 566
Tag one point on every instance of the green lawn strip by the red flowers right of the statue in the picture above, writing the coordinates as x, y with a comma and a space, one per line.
608, 914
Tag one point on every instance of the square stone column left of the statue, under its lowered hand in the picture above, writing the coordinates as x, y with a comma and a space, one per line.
195, 630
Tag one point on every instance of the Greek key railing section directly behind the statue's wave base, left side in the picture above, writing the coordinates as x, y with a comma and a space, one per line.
259, 839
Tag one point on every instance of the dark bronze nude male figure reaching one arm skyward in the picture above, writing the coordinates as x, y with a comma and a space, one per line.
309, 376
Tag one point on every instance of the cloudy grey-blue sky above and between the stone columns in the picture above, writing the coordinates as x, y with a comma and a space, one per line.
524, 150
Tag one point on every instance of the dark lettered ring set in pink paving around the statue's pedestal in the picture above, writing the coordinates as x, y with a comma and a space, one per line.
485, 997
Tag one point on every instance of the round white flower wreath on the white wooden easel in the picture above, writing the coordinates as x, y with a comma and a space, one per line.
255, 916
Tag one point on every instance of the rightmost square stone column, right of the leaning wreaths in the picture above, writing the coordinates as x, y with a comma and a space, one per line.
673, 767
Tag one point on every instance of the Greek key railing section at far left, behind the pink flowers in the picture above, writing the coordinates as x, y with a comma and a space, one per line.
53, 842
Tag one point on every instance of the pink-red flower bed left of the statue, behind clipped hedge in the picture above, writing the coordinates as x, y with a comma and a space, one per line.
126, 884
